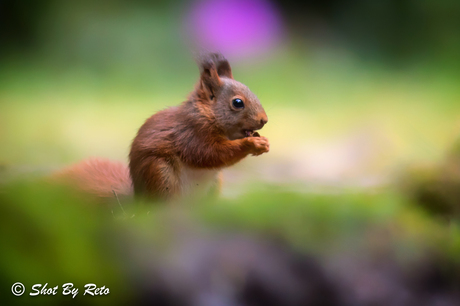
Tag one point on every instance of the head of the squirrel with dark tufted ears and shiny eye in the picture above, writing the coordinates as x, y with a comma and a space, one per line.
236, 109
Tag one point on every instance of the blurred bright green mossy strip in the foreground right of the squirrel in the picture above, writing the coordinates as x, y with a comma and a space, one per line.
331, 224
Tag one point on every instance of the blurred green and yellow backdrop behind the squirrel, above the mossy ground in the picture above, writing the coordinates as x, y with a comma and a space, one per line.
353, 90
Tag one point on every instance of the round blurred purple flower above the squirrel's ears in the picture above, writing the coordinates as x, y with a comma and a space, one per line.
236, 27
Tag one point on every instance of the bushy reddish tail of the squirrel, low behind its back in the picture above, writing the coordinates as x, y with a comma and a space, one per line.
100, 177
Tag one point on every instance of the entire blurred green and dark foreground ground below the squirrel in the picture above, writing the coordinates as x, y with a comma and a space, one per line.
266, 248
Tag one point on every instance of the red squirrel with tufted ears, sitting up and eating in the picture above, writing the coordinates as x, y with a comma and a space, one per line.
181, 150
